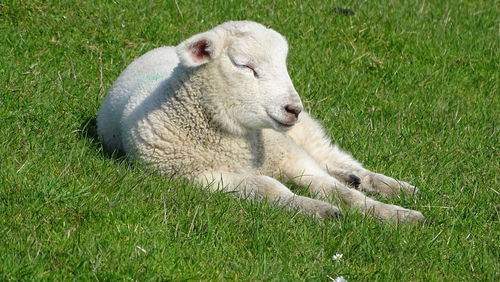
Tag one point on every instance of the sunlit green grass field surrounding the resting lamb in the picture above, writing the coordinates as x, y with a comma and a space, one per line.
410, 88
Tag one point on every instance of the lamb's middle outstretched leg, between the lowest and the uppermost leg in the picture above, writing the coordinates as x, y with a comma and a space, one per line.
304, 171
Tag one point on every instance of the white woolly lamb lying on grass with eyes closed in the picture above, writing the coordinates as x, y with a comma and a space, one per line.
221, 110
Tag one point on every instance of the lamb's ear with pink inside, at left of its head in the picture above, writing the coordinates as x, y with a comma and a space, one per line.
199, 49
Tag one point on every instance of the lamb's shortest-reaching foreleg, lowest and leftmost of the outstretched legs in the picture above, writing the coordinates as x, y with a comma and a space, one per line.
250, 186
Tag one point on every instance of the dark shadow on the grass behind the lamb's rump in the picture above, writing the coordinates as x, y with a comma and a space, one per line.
88, 131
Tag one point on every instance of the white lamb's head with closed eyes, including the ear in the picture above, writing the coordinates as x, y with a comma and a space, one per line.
243, 65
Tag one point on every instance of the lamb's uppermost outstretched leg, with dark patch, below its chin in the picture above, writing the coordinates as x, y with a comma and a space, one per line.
309, 135
